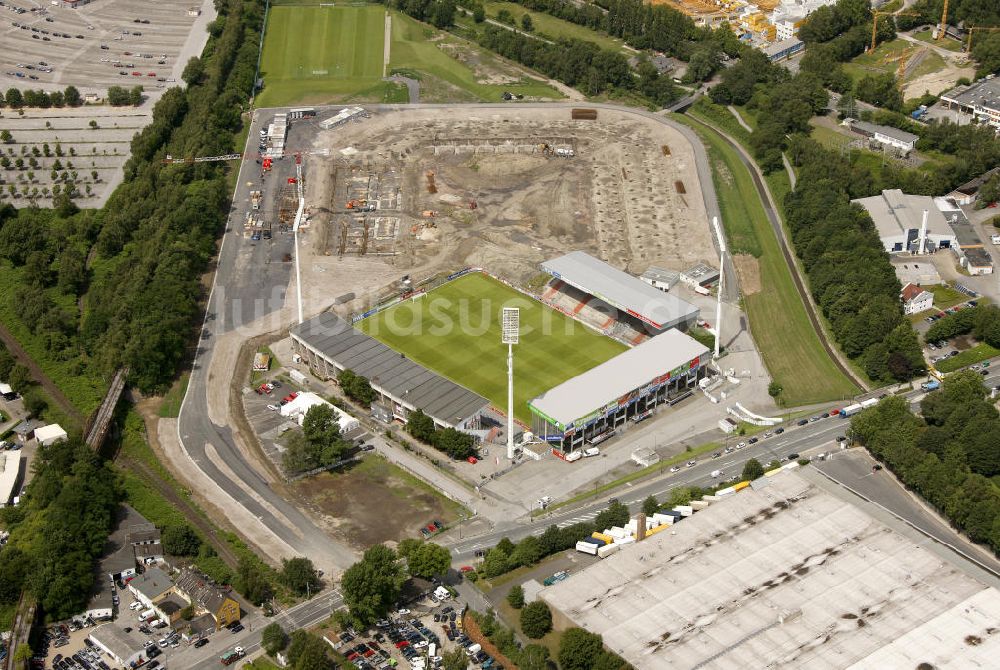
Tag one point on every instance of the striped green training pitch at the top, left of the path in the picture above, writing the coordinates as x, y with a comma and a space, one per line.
312, 54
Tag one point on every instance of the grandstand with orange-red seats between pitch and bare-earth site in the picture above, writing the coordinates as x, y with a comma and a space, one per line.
614, 302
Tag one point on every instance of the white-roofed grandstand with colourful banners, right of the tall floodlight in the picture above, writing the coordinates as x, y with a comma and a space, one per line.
593, 406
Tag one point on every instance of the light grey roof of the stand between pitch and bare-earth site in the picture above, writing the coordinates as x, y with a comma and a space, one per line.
620, 290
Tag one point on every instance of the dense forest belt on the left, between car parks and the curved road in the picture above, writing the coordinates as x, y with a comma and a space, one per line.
120, 286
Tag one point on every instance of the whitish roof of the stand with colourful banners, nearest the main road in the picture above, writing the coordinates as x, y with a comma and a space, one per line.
577, 397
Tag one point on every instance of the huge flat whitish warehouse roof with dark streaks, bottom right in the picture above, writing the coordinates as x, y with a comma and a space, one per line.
784, 576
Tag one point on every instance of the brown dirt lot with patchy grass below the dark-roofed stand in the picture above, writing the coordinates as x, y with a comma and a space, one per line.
373, 501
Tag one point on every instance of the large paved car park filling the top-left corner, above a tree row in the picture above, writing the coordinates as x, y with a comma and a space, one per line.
99, 44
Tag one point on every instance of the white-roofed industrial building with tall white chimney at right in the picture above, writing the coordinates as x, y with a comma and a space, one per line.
899, 220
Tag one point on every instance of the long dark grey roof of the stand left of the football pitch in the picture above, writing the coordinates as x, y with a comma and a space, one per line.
388, 370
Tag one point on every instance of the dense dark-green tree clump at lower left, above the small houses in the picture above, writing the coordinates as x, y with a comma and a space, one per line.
60, 529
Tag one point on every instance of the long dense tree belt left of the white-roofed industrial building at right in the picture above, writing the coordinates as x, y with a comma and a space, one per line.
850, 276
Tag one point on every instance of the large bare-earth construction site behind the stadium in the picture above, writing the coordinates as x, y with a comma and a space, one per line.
418, 192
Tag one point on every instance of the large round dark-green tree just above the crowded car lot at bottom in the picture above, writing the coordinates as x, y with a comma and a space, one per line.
371, 586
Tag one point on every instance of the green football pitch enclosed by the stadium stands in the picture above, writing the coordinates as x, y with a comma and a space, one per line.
455, 331
